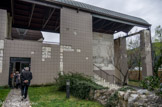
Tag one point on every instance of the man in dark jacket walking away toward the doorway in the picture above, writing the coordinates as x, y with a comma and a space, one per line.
26, 77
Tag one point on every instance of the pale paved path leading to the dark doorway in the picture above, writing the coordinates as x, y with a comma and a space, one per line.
14, 99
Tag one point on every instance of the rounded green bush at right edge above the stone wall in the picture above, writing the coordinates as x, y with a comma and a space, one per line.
150, 83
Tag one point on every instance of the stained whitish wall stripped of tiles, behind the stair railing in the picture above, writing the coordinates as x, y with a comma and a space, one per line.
103, 54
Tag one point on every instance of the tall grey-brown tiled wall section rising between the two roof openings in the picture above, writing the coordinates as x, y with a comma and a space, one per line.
76, 31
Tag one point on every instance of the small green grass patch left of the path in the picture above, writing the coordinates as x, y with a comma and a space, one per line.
3, 94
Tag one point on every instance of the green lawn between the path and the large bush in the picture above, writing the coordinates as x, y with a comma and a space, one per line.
49, 96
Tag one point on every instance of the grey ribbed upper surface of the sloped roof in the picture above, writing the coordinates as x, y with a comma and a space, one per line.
101, 11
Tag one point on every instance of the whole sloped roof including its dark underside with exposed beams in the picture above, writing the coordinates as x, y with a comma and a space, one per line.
44, 15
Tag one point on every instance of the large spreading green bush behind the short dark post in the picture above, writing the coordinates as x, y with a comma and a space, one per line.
80, 85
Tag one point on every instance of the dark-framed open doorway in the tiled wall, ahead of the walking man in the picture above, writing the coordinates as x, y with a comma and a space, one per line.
17, 64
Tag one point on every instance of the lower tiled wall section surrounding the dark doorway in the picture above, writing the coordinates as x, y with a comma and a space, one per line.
43, 71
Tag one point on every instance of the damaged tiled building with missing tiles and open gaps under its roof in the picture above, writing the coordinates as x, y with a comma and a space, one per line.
86, 40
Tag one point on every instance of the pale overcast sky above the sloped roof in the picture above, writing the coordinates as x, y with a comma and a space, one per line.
150, 10
